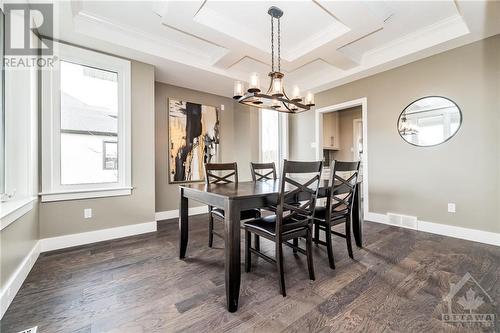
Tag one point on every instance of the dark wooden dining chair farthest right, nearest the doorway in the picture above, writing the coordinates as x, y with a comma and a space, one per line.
338, 208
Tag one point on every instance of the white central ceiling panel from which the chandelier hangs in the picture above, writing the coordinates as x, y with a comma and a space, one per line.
250, 23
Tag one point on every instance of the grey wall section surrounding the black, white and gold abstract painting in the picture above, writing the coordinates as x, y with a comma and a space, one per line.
239, 137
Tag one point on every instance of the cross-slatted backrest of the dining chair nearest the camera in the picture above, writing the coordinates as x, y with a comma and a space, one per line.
299, 180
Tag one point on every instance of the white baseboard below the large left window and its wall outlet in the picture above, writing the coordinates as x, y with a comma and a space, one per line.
61, 242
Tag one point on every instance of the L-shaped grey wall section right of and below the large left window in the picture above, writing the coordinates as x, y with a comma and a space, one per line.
66, 217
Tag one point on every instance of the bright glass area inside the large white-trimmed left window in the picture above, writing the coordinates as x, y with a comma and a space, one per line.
89, 115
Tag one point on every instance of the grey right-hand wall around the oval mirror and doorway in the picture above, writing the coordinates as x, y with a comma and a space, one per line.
421, 181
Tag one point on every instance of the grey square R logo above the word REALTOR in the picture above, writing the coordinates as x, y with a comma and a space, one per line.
22, 21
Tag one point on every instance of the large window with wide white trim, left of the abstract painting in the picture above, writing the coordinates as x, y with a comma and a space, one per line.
86, 120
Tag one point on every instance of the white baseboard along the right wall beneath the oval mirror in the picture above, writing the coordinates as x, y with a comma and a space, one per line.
474, 235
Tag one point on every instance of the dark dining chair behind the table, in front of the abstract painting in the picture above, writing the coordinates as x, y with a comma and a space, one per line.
223, 173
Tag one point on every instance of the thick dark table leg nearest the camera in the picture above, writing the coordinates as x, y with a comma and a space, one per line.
232, 253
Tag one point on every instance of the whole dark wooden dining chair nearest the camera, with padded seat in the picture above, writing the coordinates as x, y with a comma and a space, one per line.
290, 221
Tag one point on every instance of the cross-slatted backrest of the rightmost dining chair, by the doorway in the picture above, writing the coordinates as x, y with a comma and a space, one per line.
343, 179
